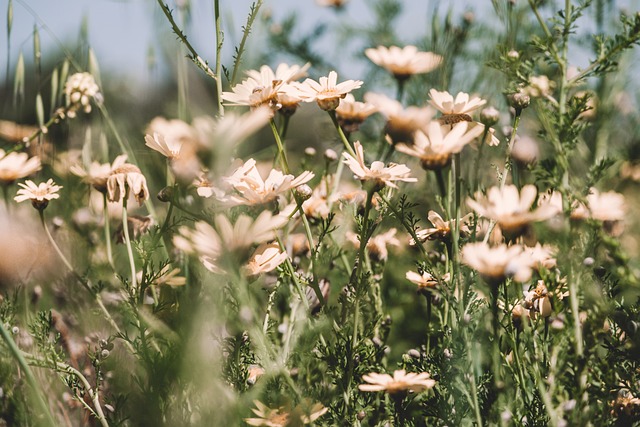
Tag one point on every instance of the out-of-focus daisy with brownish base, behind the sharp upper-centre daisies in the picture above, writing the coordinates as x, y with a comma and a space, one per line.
401, 123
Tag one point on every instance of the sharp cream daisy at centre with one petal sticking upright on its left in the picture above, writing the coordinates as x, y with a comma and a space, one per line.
378, 174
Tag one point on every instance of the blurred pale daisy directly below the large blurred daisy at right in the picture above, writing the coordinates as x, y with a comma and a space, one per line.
497, 263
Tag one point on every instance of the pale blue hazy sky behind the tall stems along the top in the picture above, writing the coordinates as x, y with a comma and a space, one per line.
122, 31
